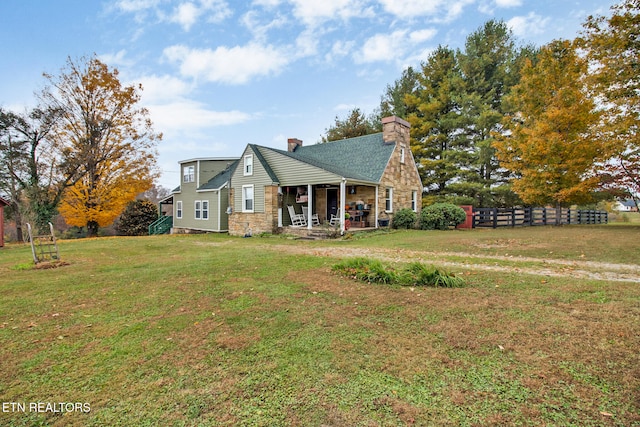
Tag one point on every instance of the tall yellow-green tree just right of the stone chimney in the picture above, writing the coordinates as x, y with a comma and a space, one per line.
440, 148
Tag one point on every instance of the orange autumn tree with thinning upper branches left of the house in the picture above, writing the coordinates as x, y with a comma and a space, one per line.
107, 140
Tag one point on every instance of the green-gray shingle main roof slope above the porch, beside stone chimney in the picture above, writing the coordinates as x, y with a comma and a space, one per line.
362, 158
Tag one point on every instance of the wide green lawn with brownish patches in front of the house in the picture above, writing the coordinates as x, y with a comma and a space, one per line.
212, 330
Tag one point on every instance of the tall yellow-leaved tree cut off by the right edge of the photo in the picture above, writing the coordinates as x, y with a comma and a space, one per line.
612, 47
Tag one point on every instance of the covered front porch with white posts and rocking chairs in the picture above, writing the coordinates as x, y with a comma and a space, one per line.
316, 206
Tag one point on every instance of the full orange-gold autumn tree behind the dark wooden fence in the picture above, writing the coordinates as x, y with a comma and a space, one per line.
551, 145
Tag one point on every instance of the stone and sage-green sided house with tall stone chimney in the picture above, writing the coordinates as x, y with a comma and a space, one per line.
370, 176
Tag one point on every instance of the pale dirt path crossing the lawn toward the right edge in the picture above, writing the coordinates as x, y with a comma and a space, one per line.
546, 267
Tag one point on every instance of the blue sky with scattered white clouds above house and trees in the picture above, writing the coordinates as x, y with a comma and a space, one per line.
219, 74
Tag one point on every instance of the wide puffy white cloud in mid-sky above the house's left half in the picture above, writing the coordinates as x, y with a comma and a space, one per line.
235, 65
